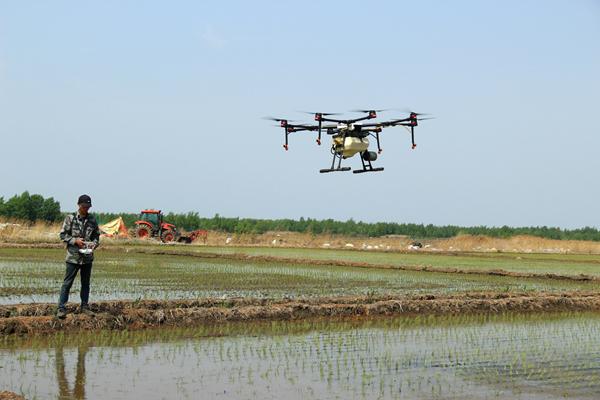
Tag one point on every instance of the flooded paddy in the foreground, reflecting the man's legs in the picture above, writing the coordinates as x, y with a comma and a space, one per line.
510, 356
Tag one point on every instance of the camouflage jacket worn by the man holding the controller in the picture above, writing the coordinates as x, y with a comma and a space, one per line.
76, 227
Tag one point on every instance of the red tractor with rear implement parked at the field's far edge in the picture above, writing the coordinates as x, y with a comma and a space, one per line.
151, 225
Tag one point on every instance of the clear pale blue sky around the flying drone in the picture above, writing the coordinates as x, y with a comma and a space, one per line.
156, 104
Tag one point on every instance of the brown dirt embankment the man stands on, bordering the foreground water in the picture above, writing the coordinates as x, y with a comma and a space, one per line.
120, 315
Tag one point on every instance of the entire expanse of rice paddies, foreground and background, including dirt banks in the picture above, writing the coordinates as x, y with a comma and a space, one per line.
406, 351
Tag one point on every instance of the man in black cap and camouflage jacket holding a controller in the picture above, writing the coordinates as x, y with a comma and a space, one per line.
81, 234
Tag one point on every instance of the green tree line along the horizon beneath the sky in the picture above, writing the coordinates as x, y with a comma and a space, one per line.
34, 207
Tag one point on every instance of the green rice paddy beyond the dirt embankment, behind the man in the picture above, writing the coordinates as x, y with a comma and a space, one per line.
32, 276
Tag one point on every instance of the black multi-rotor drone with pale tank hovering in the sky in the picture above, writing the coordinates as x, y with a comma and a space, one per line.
351, 136
